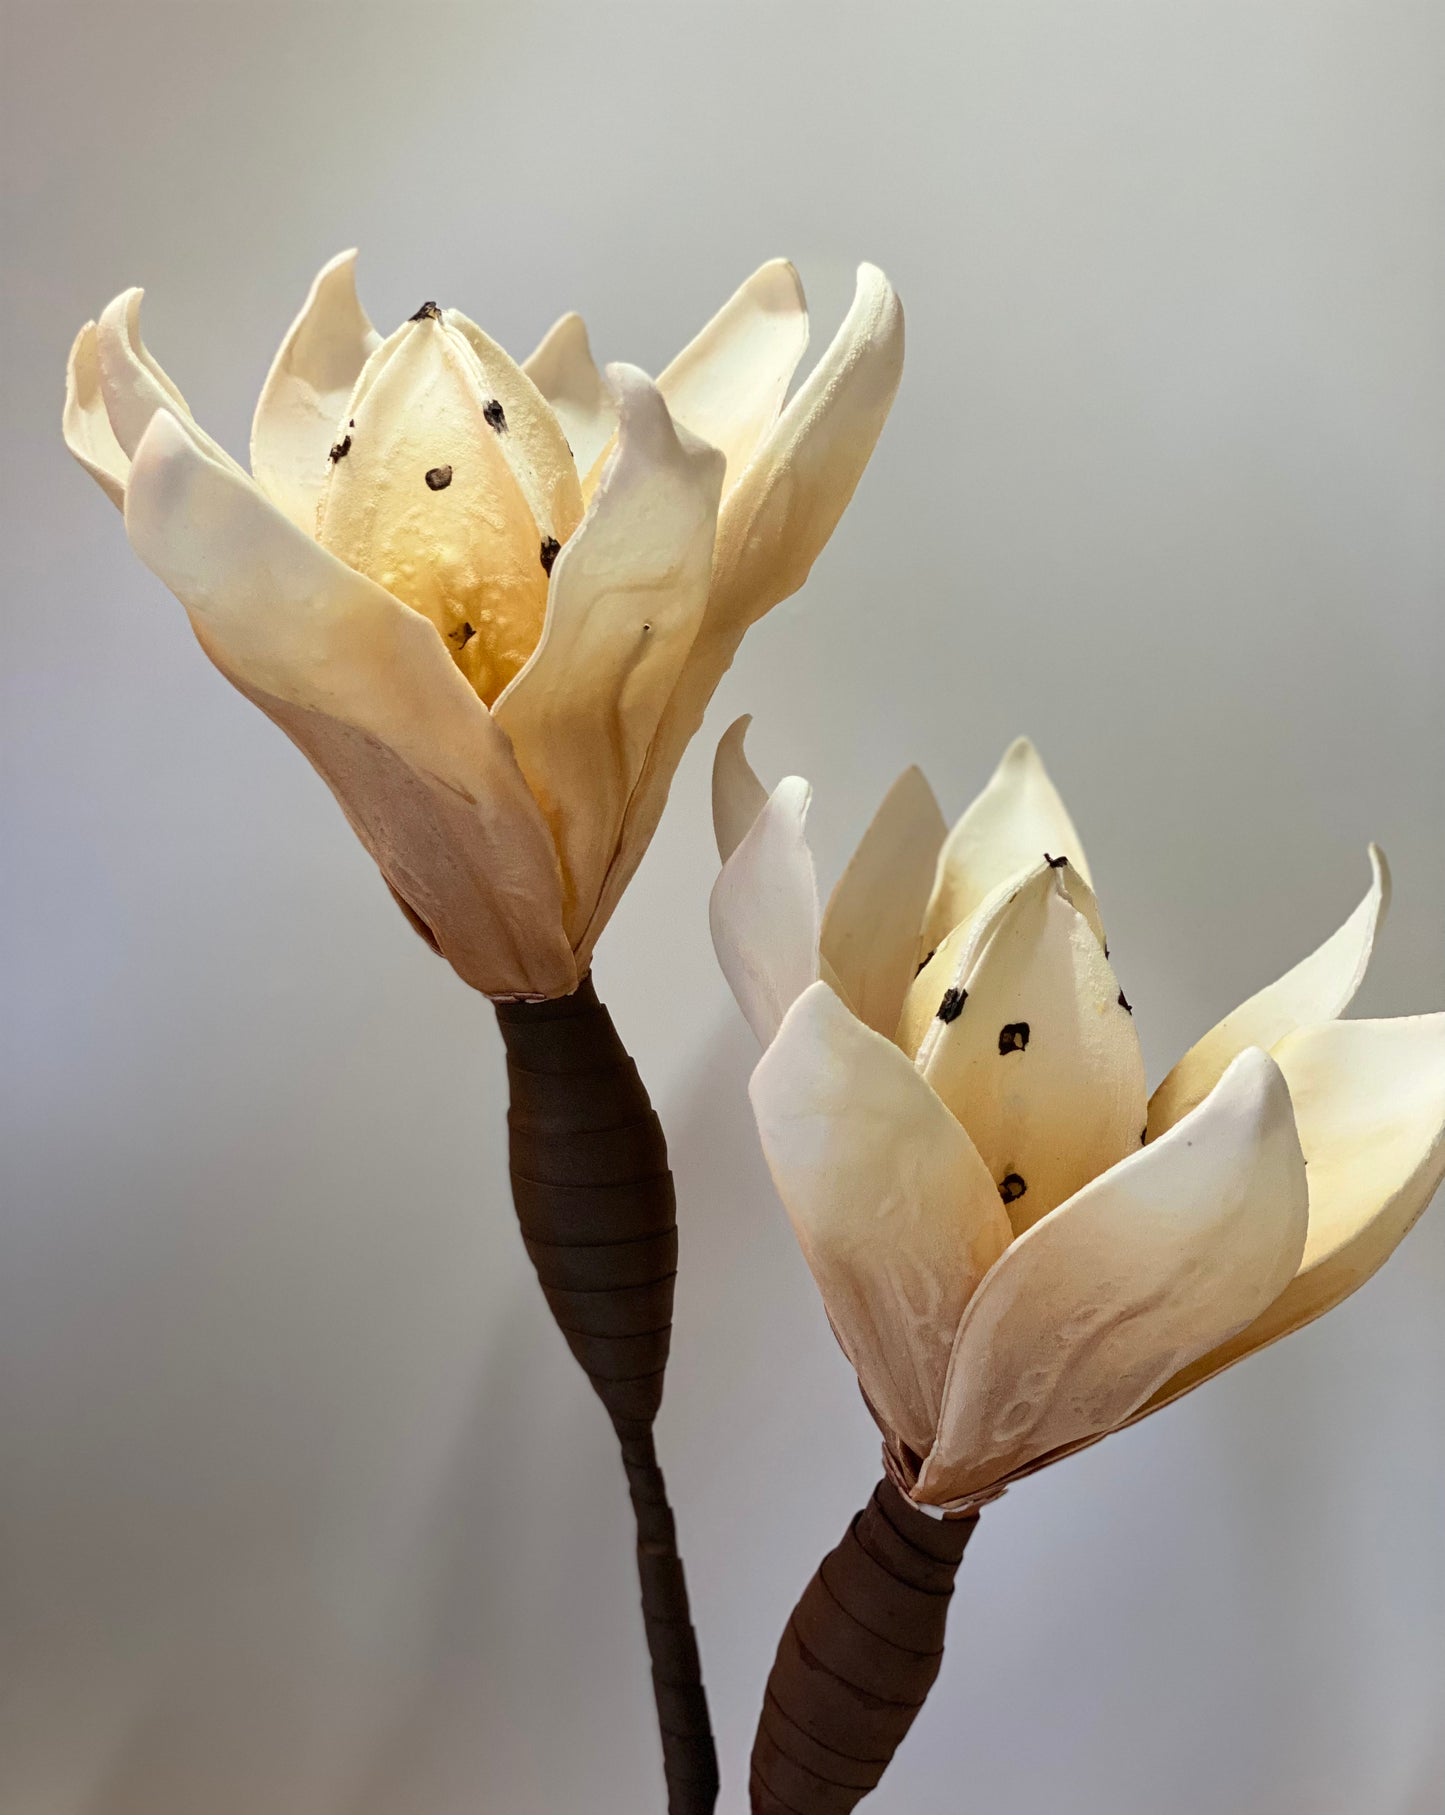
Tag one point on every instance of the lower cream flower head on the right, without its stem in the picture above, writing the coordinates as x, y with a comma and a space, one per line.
1017, 1248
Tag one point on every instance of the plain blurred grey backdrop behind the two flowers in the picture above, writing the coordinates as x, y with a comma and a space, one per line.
304, 1509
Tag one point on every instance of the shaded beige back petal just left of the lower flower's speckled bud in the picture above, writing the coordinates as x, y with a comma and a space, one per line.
870, 932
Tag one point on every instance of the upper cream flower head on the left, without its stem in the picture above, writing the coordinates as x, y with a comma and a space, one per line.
491, 602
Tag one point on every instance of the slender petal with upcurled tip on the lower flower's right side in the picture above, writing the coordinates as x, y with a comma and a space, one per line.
1317, 990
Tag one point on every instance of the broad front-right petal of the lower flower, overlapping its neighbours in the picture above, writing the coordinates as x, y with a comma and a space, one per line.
1148, 1268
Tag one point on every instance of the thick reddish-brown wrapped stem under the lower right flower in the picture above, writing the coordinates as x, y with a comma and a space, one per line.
858, 1660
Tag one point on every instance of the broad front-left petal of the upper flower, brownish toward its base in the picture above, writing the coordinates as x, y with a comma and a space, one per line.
368, 691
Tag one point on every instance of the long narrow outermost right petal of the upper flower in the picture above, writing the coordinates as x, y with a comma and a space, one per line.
774, 525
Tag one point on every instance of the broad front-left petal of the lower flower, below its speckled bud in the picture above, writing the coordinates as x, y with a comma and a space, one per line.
894, 1210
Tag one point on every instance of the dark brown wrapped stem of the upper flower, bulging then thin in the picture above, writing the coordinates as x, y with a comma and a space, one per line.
600, 1221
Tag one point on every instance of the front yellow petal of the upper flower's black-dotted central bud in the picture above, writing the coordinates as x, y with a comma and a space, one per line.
424, 500
